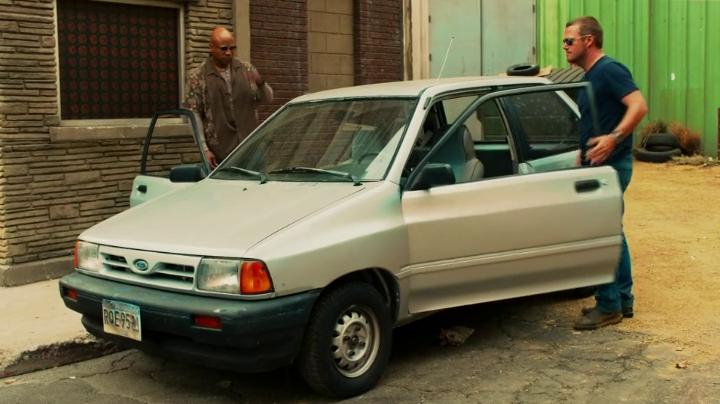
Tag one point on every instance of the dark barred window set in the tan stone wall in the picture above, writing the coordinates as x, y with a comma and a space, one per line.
117, 60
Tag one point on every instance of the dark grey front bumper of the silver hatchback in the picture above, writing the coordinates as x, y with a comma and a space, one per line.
256, 336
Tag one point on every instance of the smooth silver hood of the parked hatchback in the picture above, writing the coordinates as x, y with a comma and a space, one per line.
217, 217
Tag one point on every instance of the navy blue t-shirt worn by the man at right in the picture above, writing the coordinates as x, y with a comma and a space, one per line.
611, 81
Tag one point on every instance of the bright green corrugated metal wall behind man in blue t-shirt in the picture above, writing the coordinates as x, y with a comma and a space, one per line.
674, 56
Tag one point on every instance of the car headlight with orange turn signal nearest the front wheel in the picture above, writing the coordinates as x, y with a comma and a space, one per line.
247, 277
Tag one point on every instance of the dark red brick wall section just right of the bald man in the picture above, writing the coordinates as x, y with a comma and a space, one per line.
278, 32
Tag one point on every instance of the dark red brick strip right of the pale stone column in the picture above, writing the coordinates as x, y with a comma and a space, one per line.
378, 41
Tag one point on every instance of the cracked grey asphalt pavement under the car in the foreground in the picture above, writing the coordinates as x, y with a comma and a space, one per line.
520, 351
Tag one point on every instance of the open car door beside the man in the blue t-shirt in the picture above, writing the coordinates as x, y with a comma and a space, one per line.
545, 226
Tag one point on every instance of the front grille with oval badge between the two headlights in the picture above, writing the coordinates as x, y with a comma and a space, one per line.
148, 267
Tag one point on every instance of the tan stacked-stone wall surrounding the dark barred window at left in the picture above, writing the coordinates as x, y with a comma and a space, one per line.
51, 191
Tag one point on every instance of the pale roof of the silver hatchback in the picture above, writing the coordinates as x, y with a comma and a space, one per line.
413, 88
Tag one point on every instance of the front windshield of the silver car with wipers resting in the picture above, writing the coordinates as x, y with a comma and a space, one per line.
346, 140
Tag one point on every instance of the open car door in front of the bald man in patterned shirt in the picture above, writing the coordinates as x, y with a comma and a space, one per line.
172, 157
